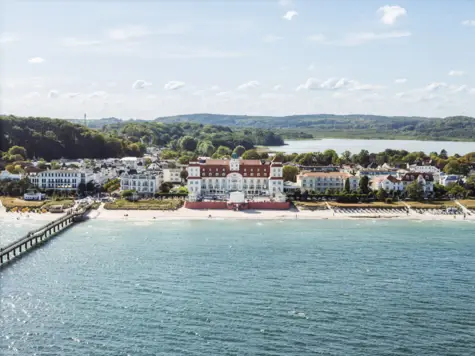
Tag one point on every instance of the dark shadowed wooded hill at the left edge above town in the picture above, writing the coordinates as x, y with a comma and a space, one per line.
54, 138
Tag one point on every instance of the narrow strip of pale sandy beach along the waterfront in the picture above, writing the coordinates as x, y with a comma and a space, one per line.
293, 214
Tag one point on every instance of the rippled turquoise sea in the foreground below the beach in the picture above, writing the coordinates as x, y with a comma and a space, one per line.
244, 288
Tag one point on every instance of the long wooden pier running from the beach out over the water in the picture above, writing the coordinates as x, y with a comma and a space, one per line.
39, 236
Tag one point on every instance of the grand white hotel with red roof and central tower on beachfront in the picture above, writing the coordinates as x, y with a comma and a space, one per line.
219, 177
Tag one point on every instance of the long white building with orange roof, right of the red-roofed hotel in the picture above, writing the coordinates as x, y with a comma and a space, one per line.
320, 181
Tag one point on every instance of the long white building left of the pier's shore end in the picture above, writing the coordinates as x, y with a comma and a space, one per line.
58, 179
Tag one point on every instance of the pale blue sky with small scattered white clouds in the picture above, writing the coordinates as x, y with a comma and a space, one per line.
146, 59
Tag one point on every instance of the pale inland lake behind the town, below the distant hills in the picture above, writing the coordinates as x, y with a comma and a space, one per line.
374, 146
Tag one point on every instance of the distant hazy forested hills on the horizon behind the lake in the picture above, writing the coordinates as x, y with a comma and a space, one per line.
351, 126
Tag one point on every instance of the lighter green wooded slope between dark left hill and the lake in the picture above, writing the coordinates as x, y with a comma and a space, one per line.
158, 133
